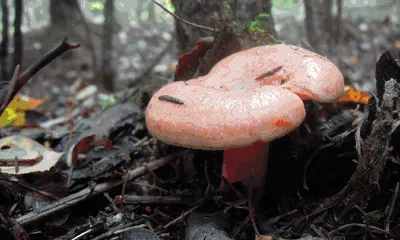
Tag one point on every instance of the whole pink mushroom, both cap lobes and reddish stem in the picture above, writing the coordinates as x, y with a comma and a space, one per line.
247, 100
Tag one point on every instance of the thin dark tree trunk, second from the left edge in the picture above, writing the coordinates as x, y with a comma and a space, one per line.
17, 34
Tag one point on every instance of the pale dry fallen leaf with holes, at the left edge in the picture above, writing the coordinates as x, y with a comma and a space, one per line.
22, 145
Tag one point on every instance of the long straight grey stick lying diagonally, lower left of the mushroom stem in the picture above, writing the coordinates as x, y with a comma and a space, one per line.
88, 192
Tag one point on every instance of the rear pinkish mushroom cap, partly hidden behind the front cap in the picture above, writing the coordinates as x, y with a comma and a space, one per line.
305, 73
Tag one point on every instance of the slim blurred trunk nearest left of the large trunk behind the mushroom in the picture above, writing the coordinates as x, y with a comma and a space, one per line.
108, 73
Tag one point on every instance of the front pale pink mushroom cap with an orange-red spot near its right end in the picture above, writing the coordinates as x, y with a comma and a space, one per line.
216, 119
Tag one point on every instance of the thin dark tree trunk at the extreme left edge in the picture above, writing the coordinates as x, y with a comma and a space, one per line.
4, 42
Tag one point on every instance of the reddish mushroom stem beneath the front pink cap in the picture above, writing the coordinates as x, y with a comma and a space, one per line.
239, 162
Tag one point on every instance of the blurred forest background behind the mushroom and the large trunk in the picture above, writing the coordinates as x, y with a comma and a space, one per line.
135, 42
